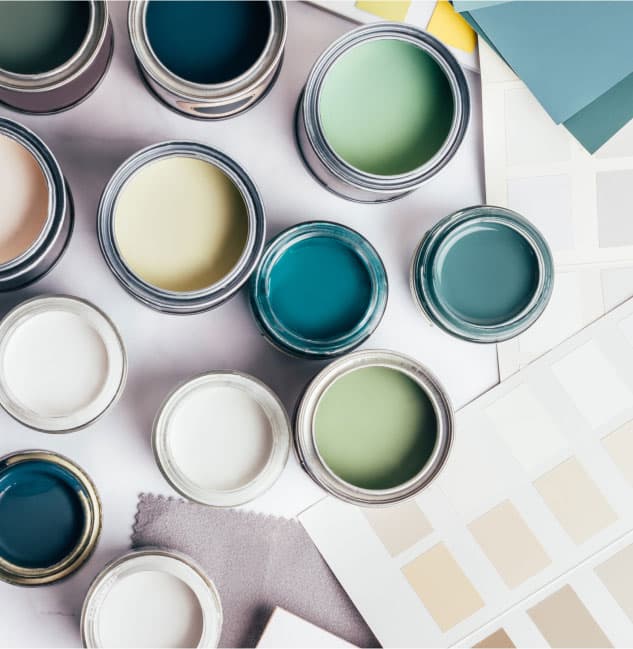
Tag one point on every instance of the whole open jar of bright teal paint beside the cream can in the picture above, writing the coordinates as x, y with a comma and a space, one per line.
319, 291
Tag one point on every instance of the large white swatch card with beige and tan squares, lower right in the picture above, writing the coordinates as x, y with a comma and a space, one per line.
530, 521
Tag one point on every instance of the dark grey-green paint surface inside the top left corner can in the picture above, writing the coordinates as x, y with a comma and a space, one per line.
39, 36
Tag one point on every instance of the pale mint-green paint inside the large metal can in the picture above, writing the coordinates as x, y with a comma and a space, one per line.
386, 107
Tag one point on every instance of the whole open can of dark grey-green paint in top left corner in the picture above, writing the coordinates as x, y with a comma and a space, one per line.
53, 53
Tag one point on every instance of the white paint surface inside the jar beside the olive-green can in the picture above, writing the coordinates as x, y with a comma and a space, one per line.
220, 437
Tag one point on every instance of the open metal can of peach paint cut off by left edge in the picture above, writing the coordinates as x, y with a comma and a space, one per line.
36, 212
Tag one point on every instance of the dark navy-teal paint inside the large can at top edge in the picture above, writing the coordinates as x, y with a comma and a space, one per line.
207, 42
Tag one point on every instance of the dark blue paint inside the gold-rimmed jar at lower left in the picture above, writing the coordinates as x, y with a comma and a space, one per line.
41, 514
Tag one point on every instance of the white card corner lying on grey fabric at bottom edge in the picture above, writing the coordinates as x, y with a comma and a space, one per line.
288, 631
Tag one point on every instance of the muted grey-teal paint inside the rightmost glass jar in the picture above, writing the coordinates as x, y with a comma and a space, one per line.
485, 273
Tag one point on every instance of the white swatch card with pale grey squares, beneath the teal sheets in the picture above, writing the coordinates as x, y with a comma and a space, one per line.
578, 201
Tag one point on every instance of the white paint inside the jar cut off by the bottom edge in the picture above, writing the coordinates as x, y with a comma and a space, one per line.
150, 609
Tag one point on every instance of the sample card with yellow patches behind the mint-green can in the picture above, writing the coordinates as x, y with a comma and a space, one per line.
434, 16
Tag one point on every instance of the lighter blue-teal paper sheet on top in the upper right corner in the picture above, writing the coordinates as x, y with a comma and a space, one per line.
568, 53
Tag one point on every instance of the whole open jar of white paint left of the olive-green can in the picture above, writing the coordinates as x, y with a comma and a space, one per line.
222, 438
